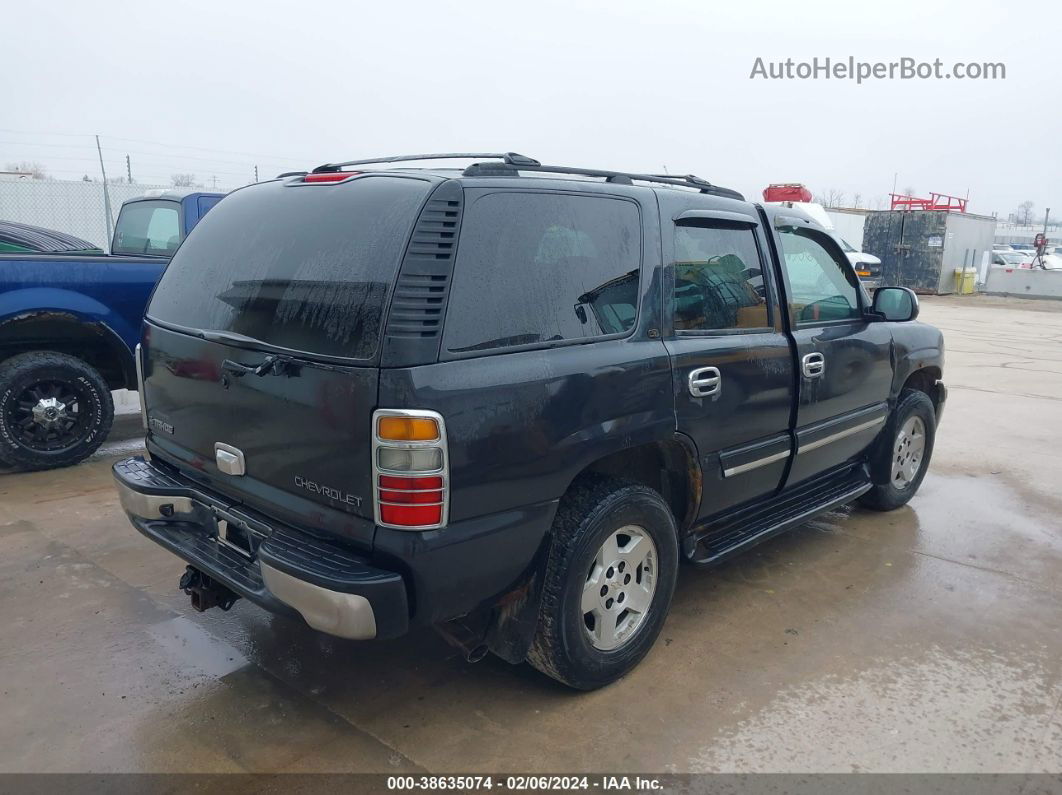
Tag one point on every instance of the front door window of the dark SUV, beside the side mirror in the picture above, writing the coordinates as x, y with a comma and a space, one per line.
821, 287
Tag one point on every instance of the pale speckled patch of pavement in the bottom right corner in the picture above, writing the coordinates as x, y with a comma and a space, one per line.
958, 711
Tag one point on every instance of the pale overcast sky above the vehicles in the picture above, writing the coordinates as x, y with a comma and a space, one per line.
216, 88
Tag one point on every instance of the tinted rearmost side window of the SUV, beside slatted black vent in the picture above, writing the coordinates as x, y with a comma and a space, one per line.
540, 268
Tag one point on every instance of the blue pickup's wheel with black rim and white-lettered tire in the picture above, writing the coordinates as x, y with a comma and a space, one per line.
36, 433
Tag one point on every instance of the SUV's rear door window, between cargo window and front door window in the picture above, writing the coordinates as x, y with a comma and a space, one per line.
718, 280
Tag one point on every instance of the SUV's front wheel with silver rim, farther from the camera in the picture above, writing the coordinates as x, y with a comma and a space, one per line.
895, 471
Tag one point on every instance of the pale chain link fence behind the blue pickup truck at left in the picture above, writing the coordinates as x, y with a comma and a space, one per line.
73, 208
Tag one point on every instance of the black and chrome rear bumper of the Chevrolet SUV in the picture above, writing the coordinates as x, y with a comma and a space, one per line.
292, 573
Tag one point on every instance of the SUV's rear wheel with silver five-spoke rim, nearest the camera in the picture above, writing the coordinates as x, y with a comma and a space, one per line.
573, 647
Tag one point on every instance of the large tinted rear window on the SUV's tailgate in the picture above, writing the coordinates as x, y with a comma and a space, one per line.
305, 268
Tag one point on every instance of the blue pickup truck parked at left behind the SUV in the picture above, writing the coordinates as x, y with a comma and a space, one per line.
70, 326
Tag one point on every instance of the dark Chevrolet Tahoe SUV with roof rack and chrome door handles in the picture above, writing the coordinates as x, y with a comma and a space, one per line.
507, 401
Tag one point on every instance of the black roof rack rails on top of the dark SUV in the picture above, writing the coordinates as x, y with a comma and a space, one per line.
517, 163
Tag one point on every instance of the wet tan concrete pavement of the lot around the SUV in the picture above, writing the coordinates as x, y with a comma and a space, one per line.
927, 640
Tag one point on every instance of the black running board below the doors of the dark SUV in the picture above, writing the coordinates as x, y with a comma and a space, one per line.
717, 541
